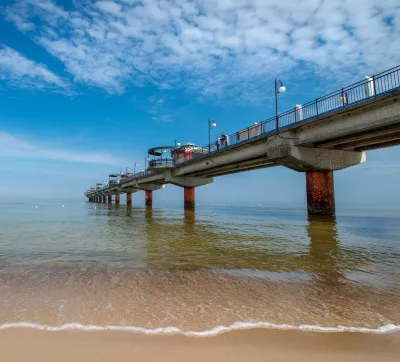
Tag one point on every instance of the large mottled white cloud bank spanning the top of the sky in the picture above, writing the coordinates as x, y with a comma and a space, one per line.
219, 48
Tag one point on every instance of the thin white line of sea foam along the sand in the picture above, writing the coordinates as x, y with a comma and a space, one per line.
210, 332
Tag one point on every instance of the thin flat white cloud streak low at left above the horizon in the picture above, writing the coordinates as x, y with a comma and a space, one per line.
11, 146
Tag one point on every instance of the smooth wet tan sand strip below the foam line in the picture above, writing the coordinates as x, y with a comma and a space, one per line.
24, 344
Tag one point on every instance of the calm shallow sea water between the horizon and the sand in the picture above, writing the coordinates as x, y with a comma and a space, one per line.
223, 266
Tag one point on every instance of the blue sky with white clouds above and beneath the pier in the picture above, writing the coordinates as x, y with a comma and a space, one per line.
86, 87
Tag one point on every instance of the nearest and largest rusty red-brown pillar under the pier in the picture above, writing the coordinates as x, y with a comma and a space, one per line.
320, 193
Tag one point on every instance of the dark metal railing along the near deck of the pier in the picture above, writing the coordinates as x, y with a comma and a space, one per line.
370, 87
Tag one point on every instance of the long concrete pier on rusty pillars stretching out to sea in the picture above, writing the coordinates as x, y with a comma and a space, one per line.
330, 133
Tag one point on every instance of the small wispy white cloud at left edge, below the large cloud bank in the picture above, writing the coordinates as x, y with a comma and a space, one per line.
23, 72
